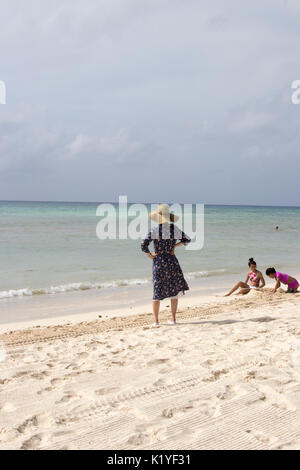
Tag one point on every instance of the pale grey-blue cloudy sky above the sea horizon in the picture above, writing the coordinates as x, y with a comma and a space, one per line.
159, 100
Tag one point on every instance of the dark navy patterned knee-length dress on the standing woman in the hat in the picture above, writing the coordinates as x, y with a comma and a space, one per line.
168, 279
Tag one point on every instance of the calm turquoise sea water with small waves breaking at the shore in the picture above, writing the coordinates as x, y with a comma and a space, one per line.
53, 247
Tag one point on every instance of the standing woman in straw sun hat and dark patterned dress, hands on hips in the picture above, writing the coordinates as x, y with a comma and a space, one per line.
168, 279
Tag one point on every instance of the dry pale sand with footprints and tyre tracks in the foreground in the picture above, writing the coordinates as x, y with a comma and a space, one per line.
226, 377
